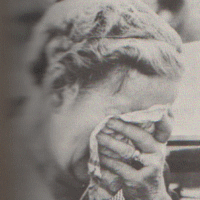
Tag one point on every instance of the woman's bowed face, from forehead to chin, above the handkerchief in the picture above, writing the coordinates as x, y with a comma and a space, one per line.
79, 115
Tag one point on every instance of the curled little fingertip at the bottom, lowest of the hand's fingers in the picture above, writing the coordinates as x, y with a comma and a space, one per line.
111, 182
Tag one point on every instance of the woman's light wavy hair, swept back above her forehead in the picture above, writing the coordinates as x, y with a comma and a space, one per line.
82, 41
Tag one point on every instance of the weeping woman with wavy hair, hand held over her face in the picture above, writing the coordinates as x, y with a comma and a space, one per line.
93, 59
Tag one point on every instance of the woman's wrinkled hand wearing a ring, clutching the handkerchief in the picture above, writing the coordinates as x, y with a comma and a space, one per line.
146, 183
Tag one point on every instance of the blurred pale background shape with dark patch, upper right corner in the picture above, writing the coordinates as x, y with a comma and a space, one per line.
182, 15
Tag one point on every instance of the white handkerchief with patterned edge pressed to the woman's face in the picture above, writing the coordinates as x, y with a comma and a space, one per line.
144, 119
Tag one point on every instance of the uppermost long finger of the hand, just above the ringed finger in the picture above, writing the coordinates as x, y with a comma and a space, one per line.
142, 139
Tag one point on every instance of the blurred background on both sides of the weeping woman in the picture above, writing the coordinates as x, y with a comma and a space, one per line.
17, 22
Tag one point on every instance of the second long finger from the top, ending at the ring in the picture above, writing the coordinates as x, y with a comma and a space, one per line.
126, 151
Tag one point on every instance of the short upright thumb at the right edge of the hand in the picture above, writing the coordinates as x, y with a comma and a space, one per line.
163, 129
